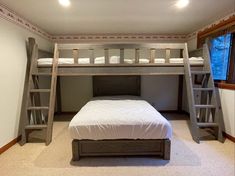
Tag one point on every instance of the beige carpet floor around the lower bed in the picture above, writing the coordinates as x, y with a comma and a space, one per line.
210, 158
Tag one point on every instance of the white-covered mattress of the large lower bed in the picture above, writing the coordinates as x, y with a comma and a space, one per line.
119, 119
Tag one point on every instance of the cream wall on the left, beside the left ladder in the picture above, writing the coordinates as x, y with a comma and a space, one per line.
13, 60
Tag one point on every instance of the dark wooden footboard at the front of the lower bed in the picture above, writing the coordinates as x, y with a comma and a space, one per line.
158, 147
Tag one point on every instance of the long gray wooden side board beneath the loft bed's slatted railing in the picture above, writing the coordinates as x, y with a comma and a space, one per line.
115, 69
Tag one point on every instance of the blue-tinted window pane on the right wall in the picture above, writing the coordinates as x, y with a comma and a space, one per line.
220, 54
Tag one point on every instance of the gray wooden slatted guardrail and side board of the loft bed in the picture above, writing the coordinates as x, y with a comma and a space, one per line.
121, 68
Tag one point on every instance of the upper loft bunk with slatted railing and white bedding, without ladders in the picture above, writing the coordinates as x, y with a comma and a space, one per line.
159, 59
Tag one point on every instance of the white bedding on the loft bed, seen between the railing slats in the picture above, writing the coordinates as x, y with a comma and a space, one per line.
116, 60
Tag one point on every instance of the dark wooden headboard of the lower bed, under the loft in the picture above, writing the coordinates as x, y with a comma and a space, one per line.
116, 85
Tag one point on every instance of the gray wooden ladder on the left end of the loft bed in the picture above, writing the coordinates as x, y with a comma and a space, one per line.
33, 111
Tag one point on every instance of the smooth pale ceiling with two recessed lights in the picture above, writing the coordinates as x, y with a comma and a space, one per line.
120, 16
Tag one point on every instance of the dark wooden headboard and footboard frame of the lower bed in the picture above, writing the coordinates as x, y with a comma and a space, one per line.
110, 86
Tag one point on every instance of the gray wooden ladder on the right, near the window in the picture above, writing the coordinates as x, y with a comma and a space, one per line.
205, 112
